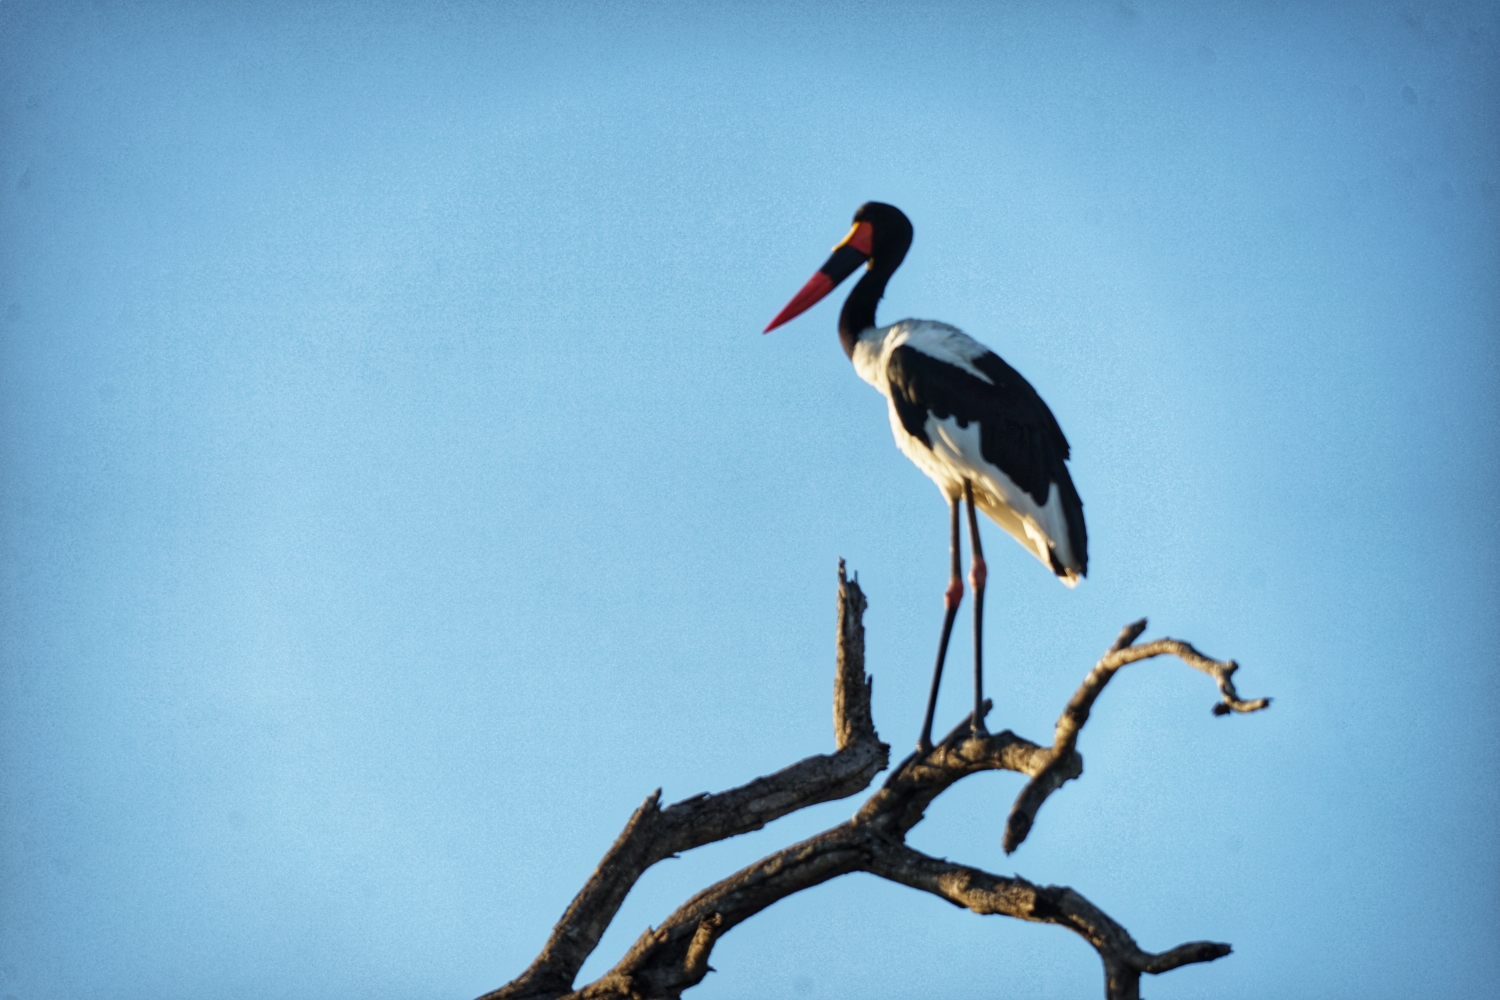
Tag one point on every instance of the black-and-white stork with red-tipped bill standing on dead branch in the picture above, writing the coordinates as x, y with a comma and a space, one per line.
964, 418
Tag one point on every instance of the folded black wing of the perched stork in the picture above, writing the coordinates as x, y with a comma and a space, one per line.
1018, 433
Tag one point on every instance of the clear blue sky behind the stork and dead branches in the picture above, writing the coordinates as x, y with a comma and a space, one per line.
397, 488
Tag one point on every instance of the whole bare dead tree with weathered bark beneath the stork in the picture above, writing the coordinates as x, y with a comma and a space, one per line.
674, 957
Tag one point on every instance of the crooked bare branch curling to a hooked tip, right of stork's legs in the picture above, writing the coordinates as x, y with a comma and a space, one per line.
1061, 762
